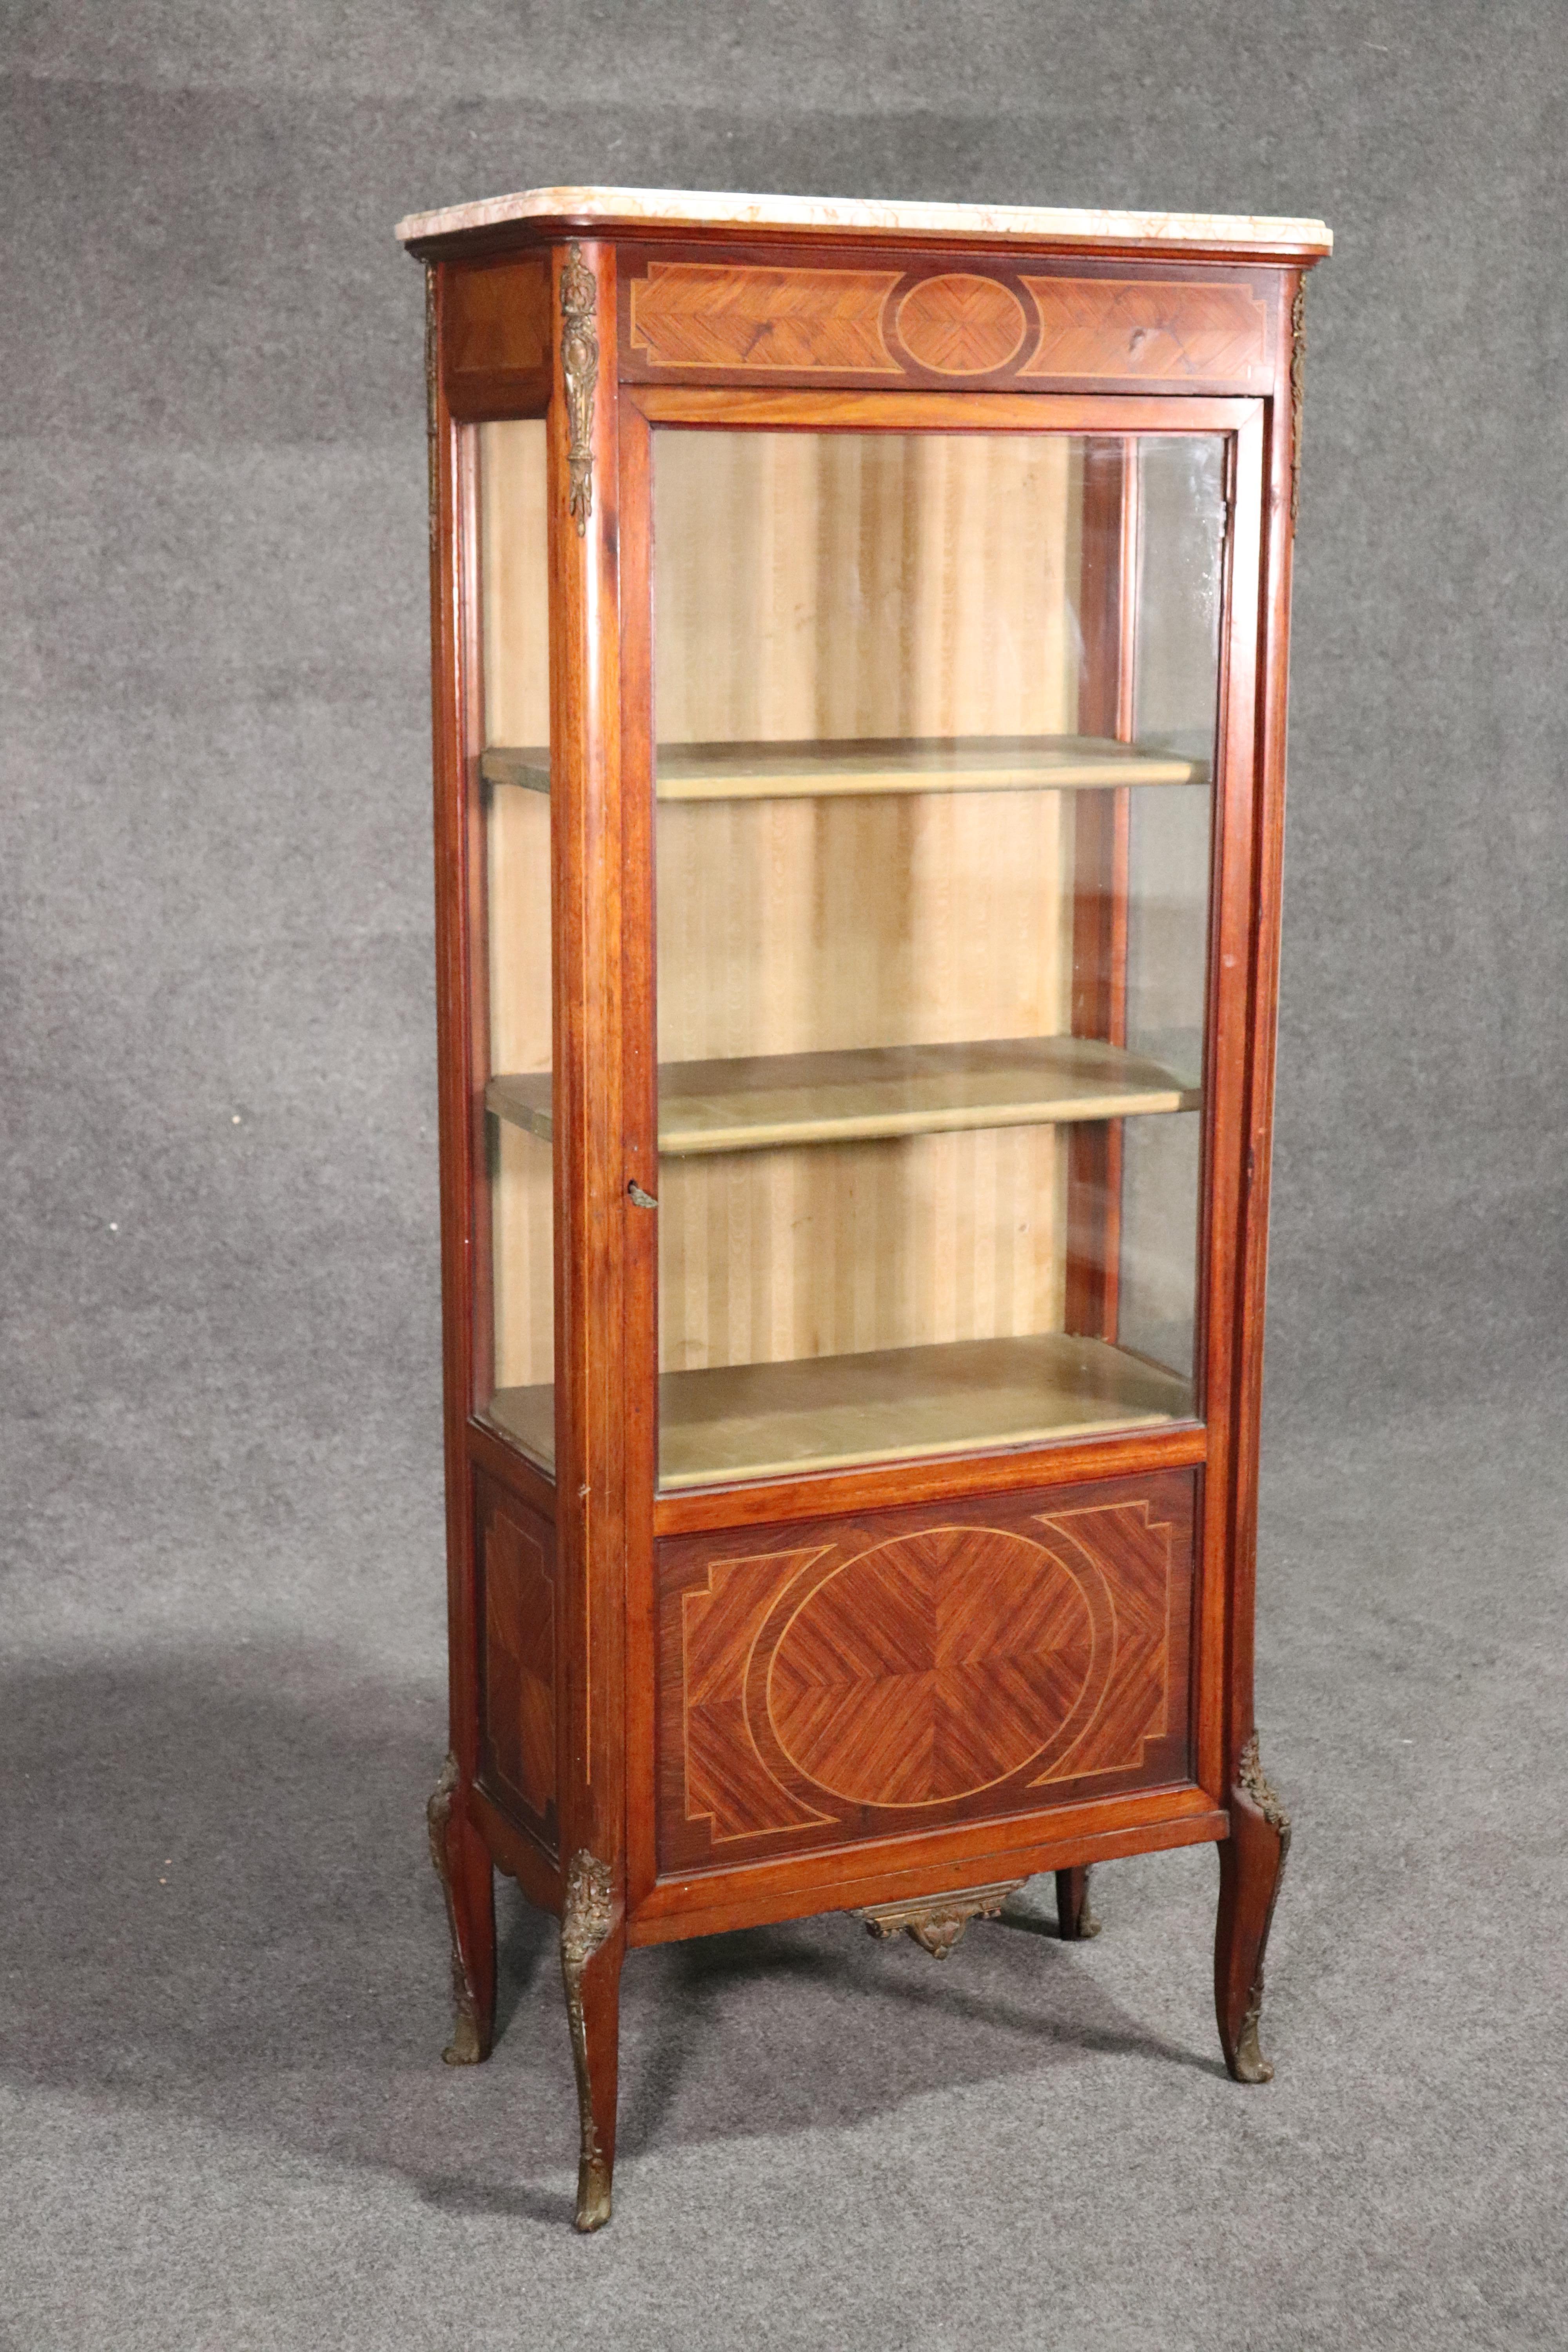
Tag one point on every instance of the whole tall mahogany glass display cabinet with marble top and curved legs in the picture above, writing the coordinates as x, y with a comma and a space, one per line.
859, 761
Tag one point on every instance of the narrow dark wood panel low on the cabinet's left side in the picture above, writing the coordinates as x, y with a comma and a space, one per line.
516, 1615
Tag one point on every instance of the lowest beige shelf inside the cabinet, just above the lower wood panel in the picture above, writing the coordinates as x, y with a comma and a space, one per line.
894, 1405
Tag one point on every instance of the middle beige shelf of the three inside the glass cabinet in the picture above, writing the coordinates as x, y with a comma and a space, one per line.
892, 1090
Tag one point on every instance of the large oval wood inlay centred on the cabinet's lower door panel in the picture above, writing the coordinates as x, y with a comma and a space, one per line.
932, 1666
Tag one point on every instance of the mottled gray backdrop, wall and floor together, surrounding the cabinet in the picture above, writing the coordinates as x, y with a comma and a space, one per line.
222, 1415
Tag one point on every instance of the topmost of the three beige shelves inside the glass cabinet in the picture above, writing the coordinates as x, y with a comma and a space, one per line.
883, 766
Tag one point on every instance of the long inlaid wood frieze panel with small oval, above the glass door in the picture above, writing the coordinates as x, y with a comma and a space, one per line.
845, 323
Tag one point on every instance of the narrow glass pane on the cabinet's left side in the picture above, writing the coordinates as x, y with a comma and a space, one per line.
516, 1372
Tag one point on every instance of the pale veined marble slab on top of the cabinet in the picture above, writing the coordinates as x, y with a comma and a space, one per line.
688, 208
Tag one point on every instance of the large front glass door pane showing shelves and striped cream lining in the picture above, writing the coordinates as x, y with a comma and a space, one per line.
925, 963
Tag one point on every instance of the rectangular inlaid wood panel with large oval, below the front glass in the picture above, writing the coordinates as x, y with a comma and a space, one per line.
913, 1669
